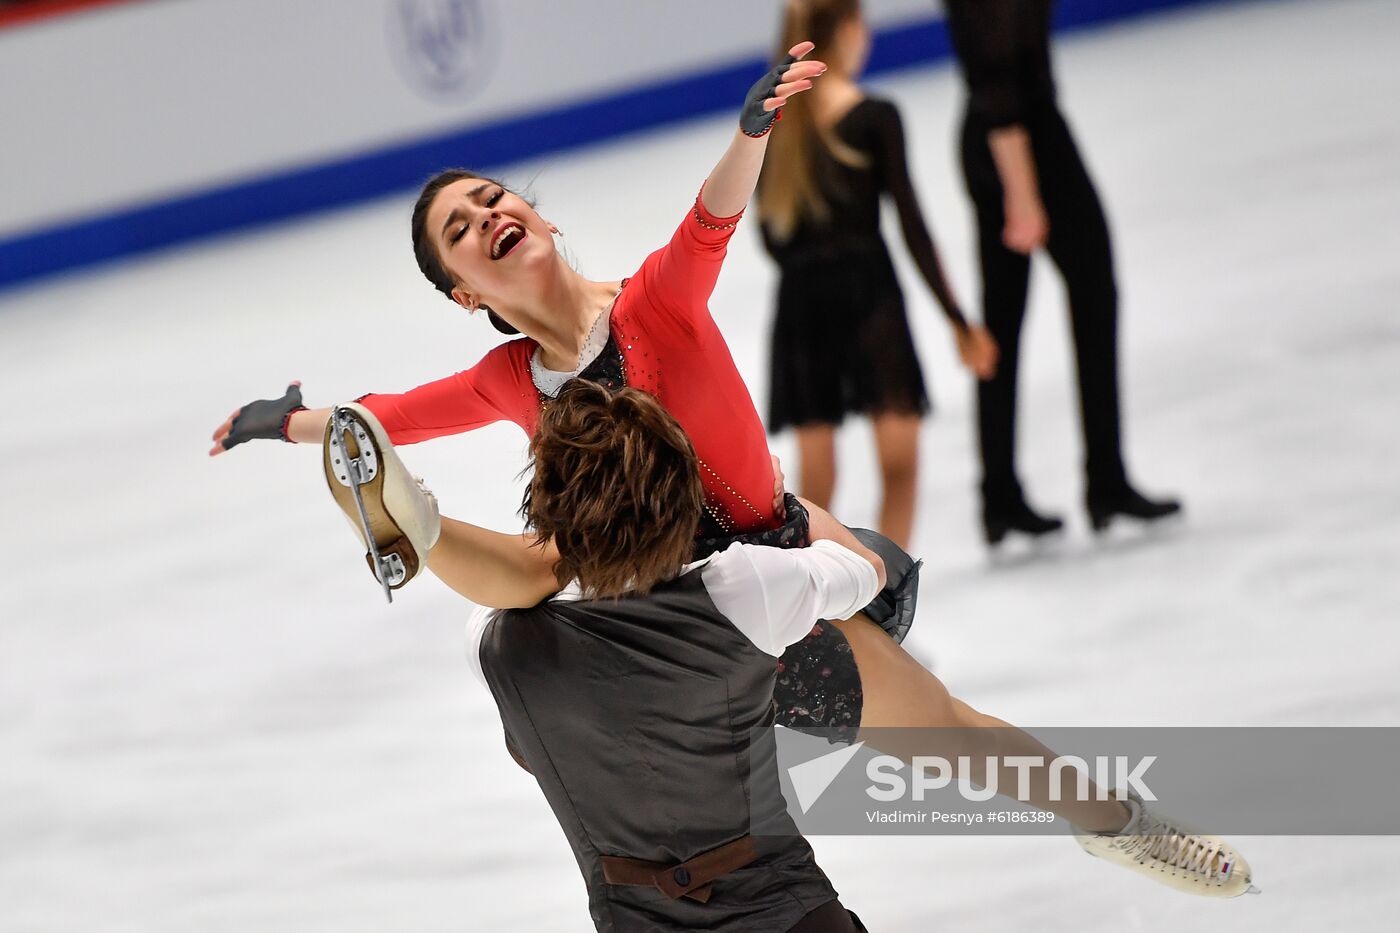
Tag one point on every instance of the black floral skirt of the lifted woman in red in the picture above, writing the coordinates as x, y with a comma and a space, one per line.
818, 684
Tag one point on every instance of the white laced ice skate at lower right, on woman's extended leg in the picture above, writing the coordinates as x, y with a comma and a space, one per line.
1164, 851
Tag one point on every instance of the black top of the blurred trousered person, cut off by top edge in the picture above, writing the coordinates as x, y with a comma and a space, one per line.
1004, 48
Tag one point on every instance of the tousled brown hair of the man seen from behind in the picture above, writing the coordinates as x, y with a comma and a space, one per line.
617, 488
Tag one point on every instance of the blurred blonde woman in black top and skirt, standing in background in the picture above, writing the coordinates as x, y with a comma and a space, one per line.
841, 340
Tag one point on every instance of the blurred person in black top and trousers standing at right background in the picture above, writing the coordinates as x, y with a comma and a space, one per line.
1032, 191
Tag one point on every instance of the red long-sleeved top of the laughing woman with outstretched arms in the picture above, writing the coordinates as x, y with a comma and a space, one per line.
671, 348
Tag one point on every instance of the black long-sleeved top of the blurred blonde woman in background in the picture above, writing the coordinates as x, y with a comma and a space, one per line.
874, 130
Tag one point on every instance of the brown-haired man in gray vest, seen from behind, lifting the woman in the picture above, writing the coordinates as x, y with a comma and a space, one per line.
691, 833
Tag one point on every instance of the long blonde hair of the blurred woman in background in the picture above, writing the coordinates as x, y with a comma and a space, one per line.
790, 188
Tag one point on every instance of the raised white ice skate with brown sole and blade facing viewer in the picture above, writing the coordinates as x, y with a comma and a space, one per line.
395, 516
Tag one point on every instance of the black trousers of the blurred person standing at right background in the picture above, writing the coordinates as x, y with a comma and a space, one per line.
1080, 247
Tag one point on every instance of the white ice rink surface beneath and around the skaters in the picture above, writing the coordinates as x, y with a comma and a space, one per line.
211, 721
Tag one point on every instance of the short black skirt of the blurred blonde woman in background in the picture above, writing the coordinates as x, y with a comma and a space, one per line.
842, 343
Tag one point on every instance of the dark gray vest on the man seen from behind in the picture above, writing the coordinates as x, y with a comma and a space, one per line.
635, 717
